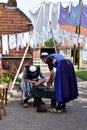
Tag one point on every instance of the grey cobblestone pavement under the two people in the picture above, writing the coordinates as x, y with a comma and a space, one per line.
19, 118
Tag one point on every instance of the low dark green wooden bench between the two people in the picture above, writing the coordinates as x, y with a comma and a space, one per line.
44, 92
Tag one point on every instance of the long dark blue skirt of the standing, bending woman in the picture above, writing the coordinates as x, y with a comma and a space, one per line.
65, 84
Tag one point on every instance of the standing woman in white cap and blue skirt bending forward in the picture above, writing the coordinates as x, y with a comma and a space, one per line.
65, 83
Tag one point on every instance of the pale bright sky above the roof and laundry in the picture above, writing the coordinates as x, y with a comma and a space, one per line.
26, 5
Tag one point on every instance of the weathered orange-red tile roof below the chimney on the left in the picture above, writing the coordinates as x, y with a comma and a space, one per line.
13, 20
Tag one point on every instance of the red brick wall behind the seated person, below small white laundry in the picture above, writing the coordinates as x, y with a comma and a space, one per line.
16, 57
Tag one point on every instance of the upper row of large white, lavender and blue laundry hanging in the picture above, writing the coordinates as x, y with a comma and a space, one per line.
56, 13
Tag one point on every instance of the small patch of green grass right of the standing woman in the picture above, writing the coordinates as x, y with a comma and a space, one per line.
82, 74
